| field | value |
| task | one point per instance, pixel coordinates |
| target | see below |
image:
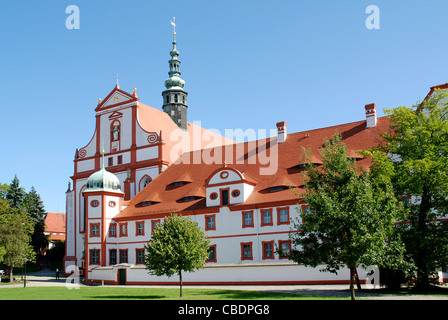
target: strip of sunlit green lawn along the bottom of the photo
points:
(126, 293)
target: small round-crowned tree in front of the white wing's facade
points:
(176, 245)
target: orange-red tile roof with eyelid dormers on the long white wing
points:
(290, 155)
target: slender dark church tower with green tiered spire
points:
(174, 97)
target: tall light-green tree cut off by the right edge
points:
(417, 148)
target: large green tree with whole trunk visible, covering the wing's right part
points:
(350, 217)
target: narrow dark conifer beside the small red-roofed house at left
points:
(34, 207)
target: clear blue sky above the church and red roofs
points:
(247, 64)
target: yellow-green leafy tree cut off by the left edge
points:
(15, 230)
